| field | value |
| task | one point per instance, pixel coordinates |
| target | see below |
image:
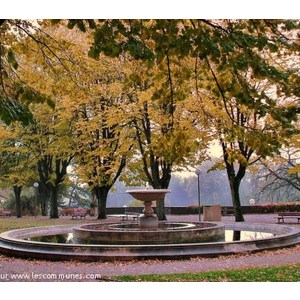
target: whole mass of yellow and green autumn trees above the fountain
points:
(142, 98)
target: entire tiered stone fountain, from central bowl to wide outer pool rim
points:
(148, 238)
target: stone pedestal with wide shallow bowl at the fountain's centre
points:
(148, 219)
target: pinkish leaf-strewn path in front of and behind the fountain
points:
(39, 270)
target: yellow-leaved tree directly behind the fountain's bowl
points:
(166, 137)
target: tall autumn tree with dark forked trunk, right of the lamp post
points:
(259, 101)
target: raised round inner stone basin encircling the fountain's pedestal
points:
(131, 234)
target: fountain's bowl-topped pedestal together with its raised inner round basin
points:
(148, 231)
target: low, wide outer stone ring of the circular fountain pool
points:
(16, 243)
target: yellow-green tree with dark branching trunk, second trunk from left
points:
(53, 151)
